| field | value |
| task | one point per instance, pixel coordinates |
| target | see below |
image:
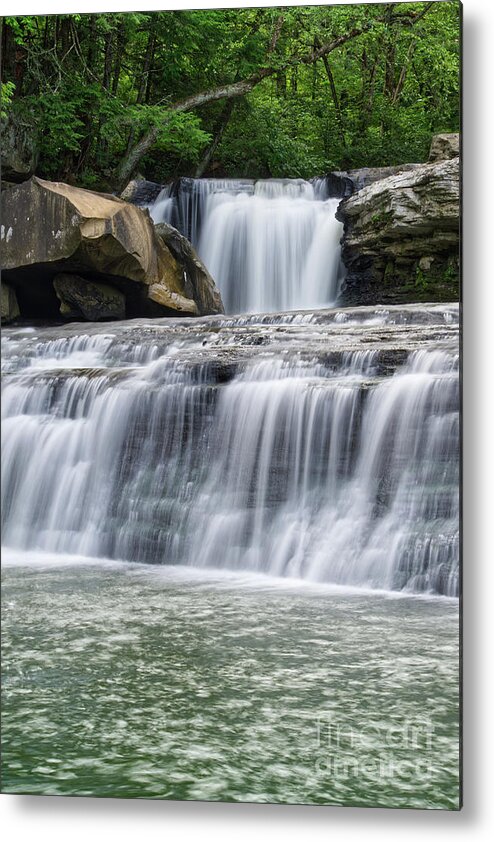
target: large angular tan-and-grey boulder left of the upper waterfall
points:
(53, 228)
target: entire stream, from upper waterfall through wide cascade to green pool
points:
(231, 556)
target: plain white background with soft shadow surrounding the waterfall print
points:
(51, 818)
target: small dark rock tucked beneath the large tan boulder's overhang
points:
(88, 299)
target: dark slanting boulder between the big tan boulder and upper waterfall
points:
(198, 282)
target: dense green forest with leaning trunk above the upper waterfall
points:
(288, 91)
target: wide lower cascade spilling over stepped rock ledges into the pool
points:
(318, 445)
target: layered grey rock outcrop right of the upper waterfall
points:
(401, 237)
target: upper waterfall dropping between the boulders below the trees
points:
(270, 245)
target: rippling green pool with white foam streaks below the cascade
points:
(129, 681)
